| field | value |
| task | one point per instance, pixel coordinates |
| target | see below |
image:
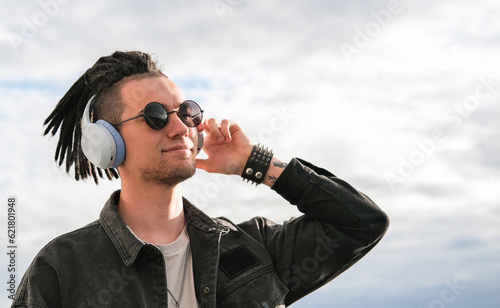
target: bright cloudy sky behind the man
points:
(399, 98)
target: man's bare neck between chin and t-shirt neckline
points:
(154, 212)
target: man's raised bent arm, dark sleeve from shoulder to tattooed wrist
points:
(339, 226)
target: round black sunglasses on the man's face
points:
(156, 115)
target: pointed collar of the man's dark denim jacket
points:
(127, 244)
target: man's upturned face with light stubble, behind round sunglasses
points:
(165, 156)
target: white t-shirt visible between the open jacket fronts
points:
(179, 267)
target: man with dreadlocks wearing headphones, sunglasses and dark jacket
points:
(152, 248)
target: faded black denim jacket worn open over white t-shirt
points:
(256, 263)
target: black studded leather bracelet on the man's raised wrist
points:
(257, 164)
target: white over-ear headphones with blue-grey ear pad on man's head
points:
(102, 144)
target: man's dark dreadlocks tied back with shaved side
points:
(103, 79)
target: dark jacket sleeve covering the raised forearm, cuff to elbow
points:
(320, 195)
